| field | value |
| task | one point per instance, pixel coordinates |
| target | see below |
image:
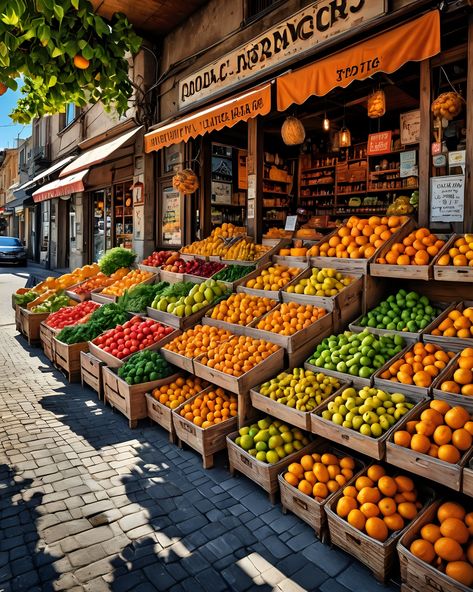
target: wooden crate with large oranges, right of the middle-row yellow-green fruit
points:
(434, 442)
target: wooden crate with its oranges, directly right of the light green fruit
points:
(415, 368)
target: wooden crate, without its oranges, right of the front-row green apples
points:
(309, 509)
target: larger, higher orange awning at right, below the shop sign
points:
(414, 41)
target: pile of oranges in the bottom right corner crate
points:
(448, 543)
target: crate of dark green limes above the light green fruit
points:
(406, 313)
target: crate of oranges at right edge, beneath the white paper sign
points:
(455, 262)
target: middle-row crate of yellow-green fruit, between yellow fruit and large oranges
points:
(363, 419)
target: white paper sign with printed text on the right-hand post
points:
(447, 198)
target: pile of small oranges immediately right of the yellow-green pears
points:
(242, 309)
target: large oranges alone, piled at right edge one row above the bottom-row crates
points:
(442, 431)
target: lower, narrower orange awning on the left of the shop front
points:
(227, 114)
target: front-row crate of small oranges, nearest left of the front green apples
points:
(204, 421)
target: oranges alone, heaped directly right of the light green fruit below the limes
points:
(419, 366)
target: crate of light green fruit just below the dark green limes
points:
(354, 357)
